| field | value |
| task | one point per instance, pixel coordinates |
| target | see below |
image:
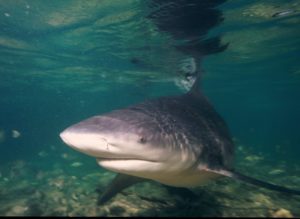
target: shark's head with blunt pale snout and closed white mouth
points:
(129, 141)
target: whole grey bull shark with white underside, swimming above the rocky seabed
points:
(179, 141)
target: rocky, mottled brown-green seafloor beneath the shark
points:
(68, 184)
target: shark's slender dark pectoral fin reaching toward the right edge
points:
(256, 182)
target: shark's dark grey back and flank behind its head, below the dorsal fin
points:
(188, 120)
